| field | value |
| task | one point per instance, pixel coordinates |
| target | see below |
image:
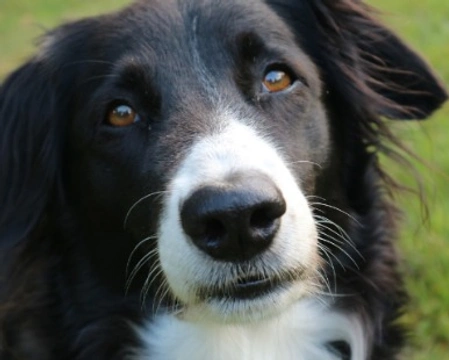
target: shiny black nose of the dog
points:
(234, 220)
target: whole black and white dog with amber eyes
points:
(198, 179)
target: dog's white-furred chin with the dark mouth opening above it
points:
(245, 302)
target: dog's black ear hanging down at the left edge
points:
(34, 107)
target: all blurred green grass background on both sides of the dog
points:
(425, 247)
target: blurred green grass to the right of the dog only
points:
(425, 249)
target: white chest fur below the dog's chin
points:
(298, 334)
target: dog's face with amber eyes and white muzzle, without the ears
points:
(188, 128)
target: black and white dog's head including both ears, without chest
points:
(190, 141)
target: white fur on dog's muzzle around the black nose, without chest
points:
(235, 148)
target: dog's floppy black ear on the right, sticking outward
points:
(375, 63)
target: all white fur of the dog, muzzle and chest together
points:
(287, 324)
